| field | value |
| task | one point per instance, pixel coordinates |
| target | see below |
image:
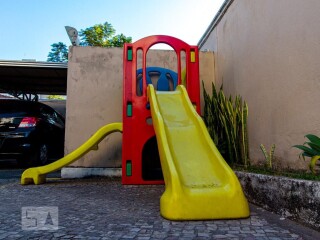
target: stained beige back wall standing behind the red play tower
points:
(94, 97)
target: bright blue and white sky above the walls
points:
(29, 27)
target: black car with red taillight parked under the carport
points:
(30, 132)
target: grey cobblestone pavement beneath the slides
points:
(105, 209)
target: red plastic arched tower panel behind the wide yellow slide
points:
(140, 157)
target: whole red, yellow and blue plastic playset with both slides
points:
(165, 139)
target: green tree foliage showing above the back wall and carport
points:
(101, 35)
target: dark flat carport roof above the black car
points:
(33, 77)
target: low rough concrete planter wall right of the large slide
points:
(291, 198)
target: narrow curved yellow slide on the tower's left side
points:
(37, 175)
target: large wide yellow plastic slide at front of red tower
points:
(199, 183)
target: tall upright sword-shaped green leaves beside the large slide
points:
(226, 120)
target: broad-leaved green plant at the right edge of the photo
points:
(310, 149)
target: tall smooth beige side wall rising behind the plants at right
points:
(268, 52)
